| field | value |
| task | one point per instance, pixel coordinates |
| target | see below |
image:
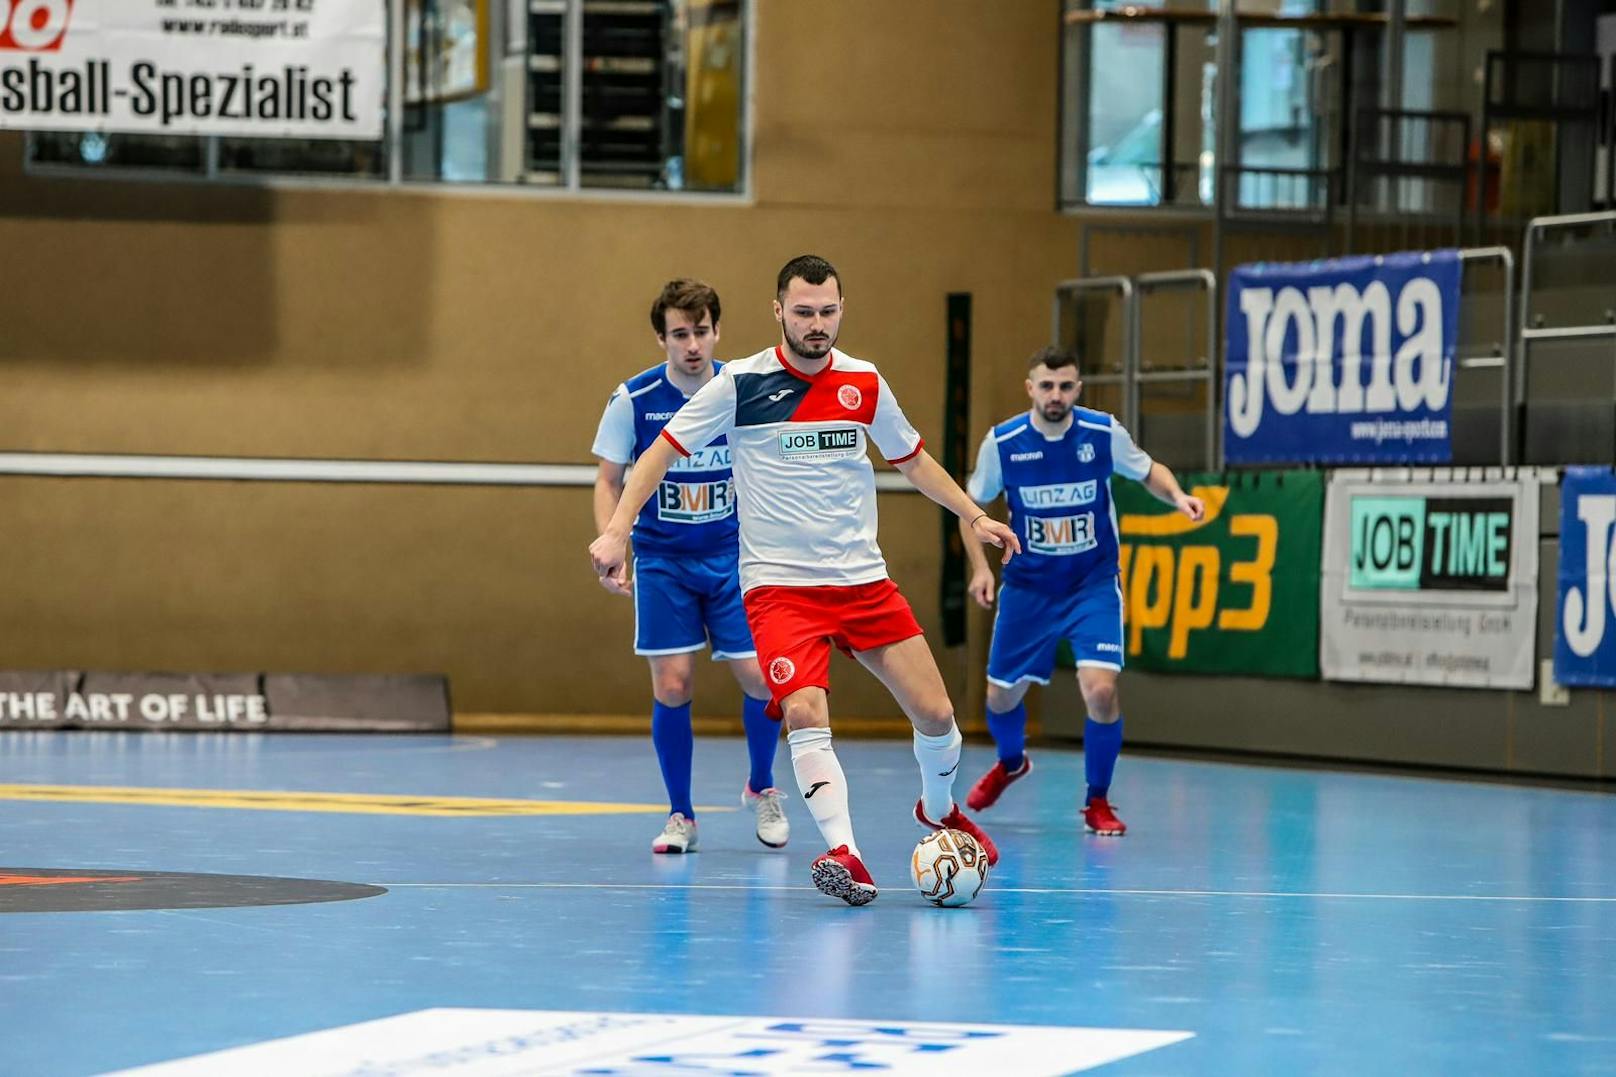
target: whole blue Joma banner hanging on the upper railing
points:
(1345, 361)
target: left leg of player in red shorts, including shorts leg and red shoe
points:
(794, 651)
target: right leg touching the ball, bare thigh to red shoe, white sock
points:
(911, 674)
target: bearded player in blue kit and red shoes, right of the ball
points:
(1054, 467)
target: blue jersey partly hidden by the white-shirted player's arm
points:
(694, 510)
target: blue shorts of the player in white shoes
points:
(680, 604)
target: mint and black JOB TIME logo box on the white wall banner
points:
(1431, 544)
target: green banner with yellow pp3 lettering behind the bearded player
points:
(1237, 593)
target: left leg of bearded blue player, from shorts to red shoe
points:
(1027, 635)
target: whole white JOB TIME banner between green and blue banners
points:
(1431, 581)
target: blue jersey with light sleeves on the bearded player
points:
(1059, 496)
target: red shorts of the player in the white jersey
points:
(794, 630)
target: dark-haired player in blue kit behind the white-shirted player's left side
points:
(686, 588)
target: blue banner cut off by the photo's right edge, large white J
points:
(1586, 617)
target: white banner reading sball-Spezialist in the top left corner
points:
(255, 69)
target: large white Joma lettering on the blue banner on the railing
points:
(1305, 379)
